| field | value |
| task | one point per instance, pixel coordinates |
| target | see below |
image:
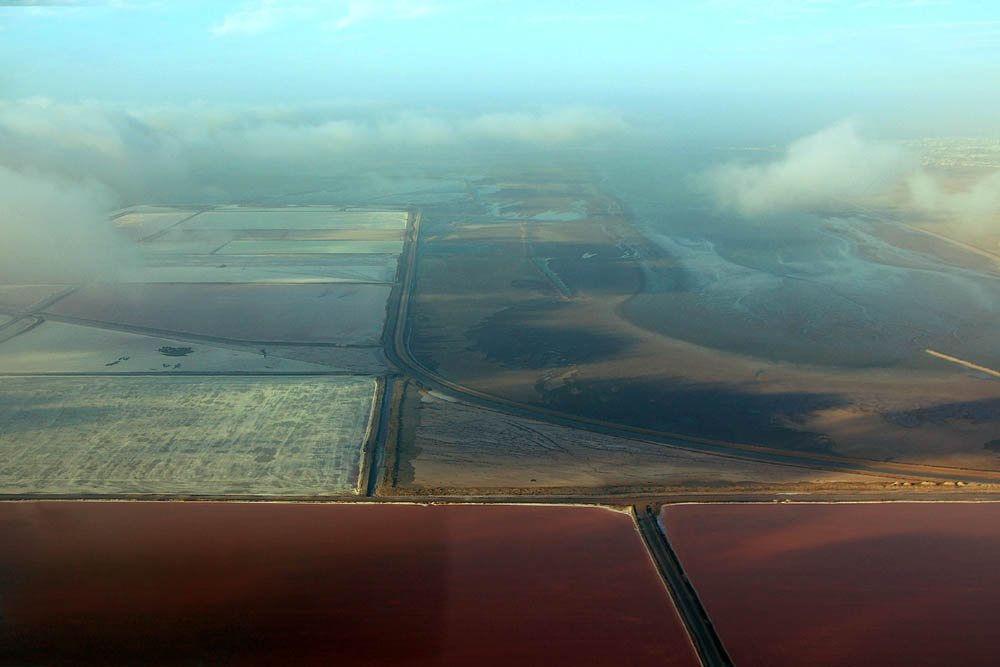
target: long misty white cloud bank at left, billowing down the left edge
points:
(63, 166)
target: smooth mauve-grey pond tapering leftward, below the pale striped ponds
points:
(343, 313)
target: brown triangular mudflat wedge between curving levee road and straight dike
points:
(453, 447)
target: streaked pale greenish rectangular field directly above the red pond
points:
(182, 435)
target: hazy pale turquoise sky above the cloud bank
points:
(824, 59)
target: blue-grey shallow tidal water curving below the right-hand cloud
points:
(797, 287)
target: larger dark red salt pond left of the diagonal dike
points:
(270, 584)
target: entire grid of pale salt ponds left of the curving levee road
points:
(175, 381)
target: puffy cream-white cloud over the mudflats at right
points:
(836, 166)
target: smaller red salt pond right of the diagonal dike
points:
(846, 584)
